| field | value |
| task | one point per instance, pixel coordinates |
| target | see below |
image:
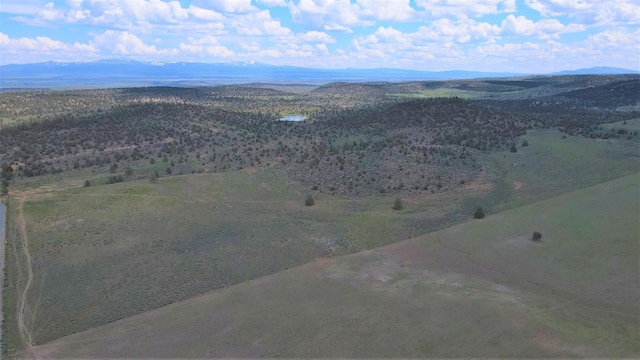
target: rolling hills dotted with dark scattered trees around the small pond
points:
(362, 139)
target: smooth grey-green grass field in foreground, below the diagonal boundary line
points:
(482, 288)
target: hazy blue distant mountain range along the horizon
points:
(127, 72)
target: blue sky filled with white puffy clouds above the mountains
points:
(524, 36)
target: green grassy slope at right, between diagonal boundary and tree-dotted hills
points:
(551, 165)
